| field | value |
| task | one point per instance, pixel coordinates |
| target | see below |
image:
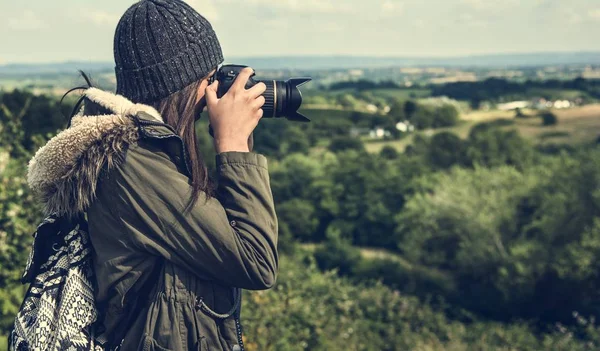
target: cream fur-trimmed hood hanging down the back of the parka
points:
(64, 172)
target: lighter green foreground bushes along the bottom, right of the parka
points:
(310, 310)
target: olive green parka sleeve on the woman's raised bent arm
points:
(230, 238)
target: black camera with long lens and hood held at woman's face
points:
(282, 98)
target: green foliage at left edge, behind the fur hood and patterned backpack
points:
(24, 122)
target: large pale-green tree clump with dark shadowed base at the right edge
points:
(525, 243)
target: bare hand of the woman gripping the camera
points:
(234, 116)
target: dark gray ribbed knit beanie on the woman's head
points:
(162, 46)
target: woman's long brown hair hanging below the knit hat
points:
(179, 110)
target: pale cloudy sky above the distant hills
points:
(40, 31)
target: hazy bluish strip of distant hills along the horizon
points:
(340, 62)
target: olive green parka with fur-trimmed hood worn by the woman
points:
(165, 280)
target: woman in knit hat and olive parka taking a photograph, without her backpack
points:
(171, 251)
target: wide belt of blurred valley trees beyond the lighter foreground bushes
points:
(489, 223)
